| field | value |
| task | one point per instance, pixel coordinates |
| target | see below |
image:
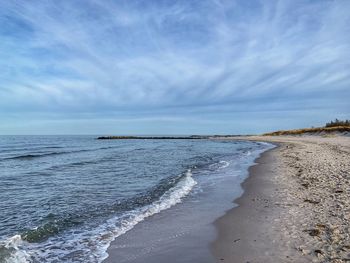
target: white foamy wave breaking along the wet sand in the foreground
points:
(35, 243)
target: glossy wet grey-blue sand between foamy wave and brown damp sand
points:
(175, 226)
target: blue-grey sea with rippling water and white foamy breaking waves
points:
(66, 198)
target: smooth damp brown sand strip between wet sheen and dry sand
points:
(242, 231)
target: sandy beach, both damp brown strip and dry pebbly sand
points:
(296, 205)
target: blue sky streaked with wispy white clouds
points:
(172, 67)
